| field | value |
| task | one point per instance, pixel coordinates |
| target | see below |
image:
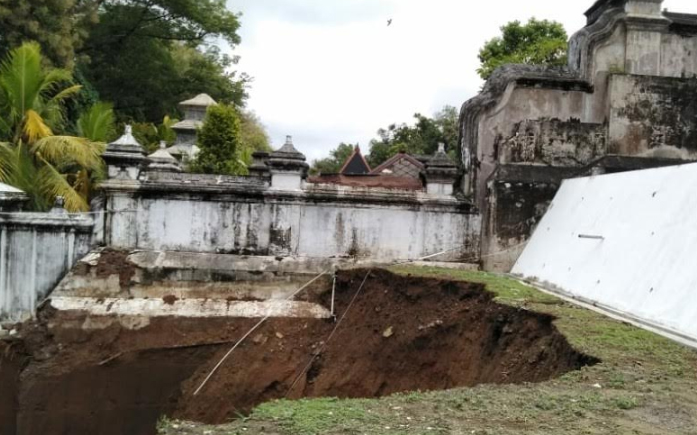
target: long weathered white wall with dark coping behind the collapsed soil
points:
(244, 216)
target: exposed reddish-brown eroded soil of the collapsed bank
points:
(79, 375)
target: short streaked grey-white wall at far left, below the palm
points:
(36, 250)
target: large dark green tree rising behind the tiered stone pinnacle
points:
(146, 56)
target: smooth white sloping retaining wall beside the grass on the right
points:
(645, 268)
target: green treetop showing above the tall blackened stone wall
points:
(539, 42)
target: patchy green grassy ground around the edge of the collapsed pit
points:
(645, 385)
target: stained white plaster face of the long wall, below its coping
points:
(313, 229)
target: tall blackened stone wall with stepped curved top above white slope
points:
(627, 93)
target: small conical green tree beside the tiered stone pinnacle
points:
(219, 141)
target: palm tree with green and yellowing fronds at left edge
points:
(32, 157)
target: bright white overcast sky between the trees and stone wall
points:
(331, 71)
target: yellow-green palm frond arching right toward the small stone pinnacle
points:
(65, 150)
